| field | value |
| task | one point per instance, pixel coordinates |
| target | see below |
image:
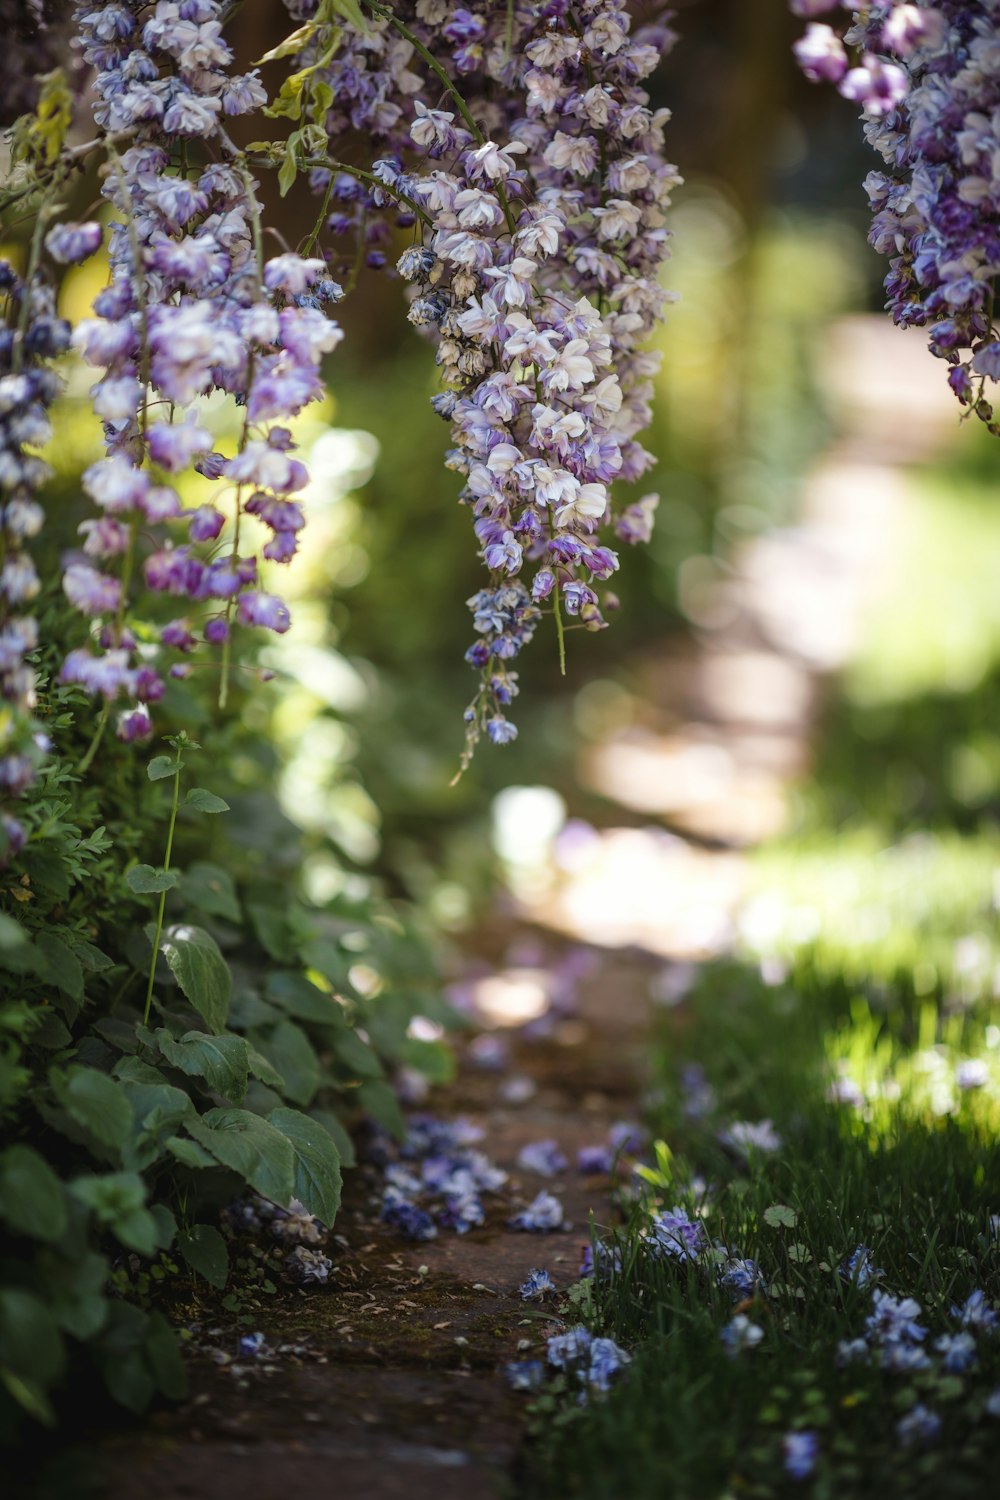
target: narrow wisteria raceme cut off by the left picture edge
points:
(31, 337)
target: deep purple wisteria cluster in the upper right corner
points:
(929, 80)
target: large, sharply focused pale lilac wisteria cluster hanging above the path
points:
(536, 271)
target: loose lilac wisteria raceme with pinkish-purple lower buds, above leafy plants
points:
(193, 308)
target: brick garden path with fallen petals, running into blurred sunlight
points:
(388, 1384)
